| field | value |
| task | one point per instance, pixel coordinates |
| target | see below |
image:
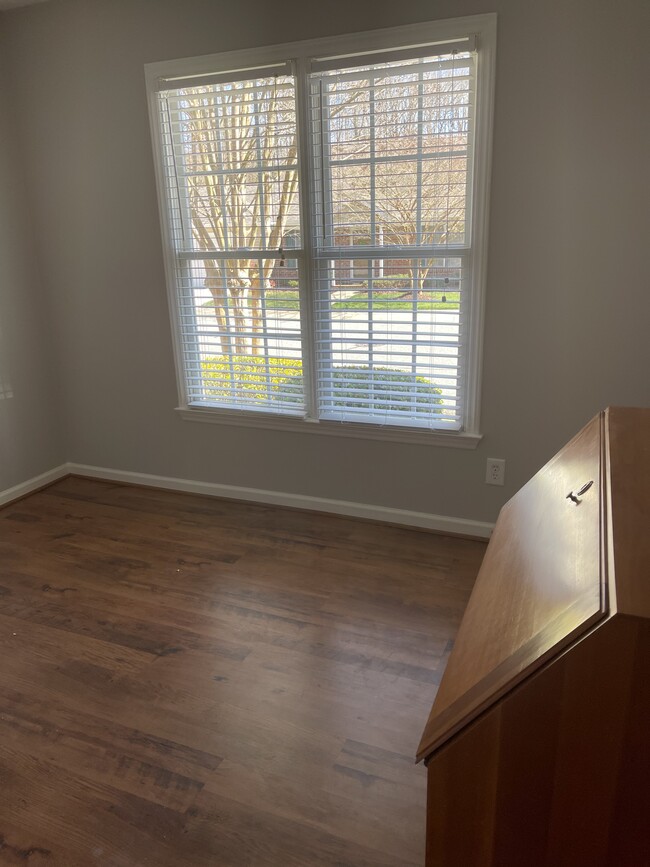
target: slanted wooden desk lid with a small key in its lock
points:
(542, 583)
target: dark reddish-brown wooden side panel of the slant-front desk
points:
(556, 774)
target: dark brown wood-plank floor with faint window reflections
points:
(189, 681)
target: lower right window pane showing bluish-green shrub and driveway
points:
(388, 343)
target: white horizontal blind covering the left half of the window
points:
(230, 159)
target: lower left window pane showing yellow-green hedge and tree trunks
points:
(240, 330)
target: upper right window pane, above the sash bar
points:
(394, 151)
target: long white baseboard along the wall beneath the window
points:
(439, 523)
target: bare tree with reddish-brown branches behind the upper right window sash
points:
(404, 168)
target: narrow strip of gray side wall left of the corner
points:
(30, 435)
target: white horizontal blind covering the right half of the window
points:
(393, 167)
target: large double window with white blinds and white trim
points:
(323, 207)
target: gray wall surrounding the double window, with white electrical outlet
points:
(568, 298)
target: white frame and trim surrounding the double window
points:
(482, 28)
